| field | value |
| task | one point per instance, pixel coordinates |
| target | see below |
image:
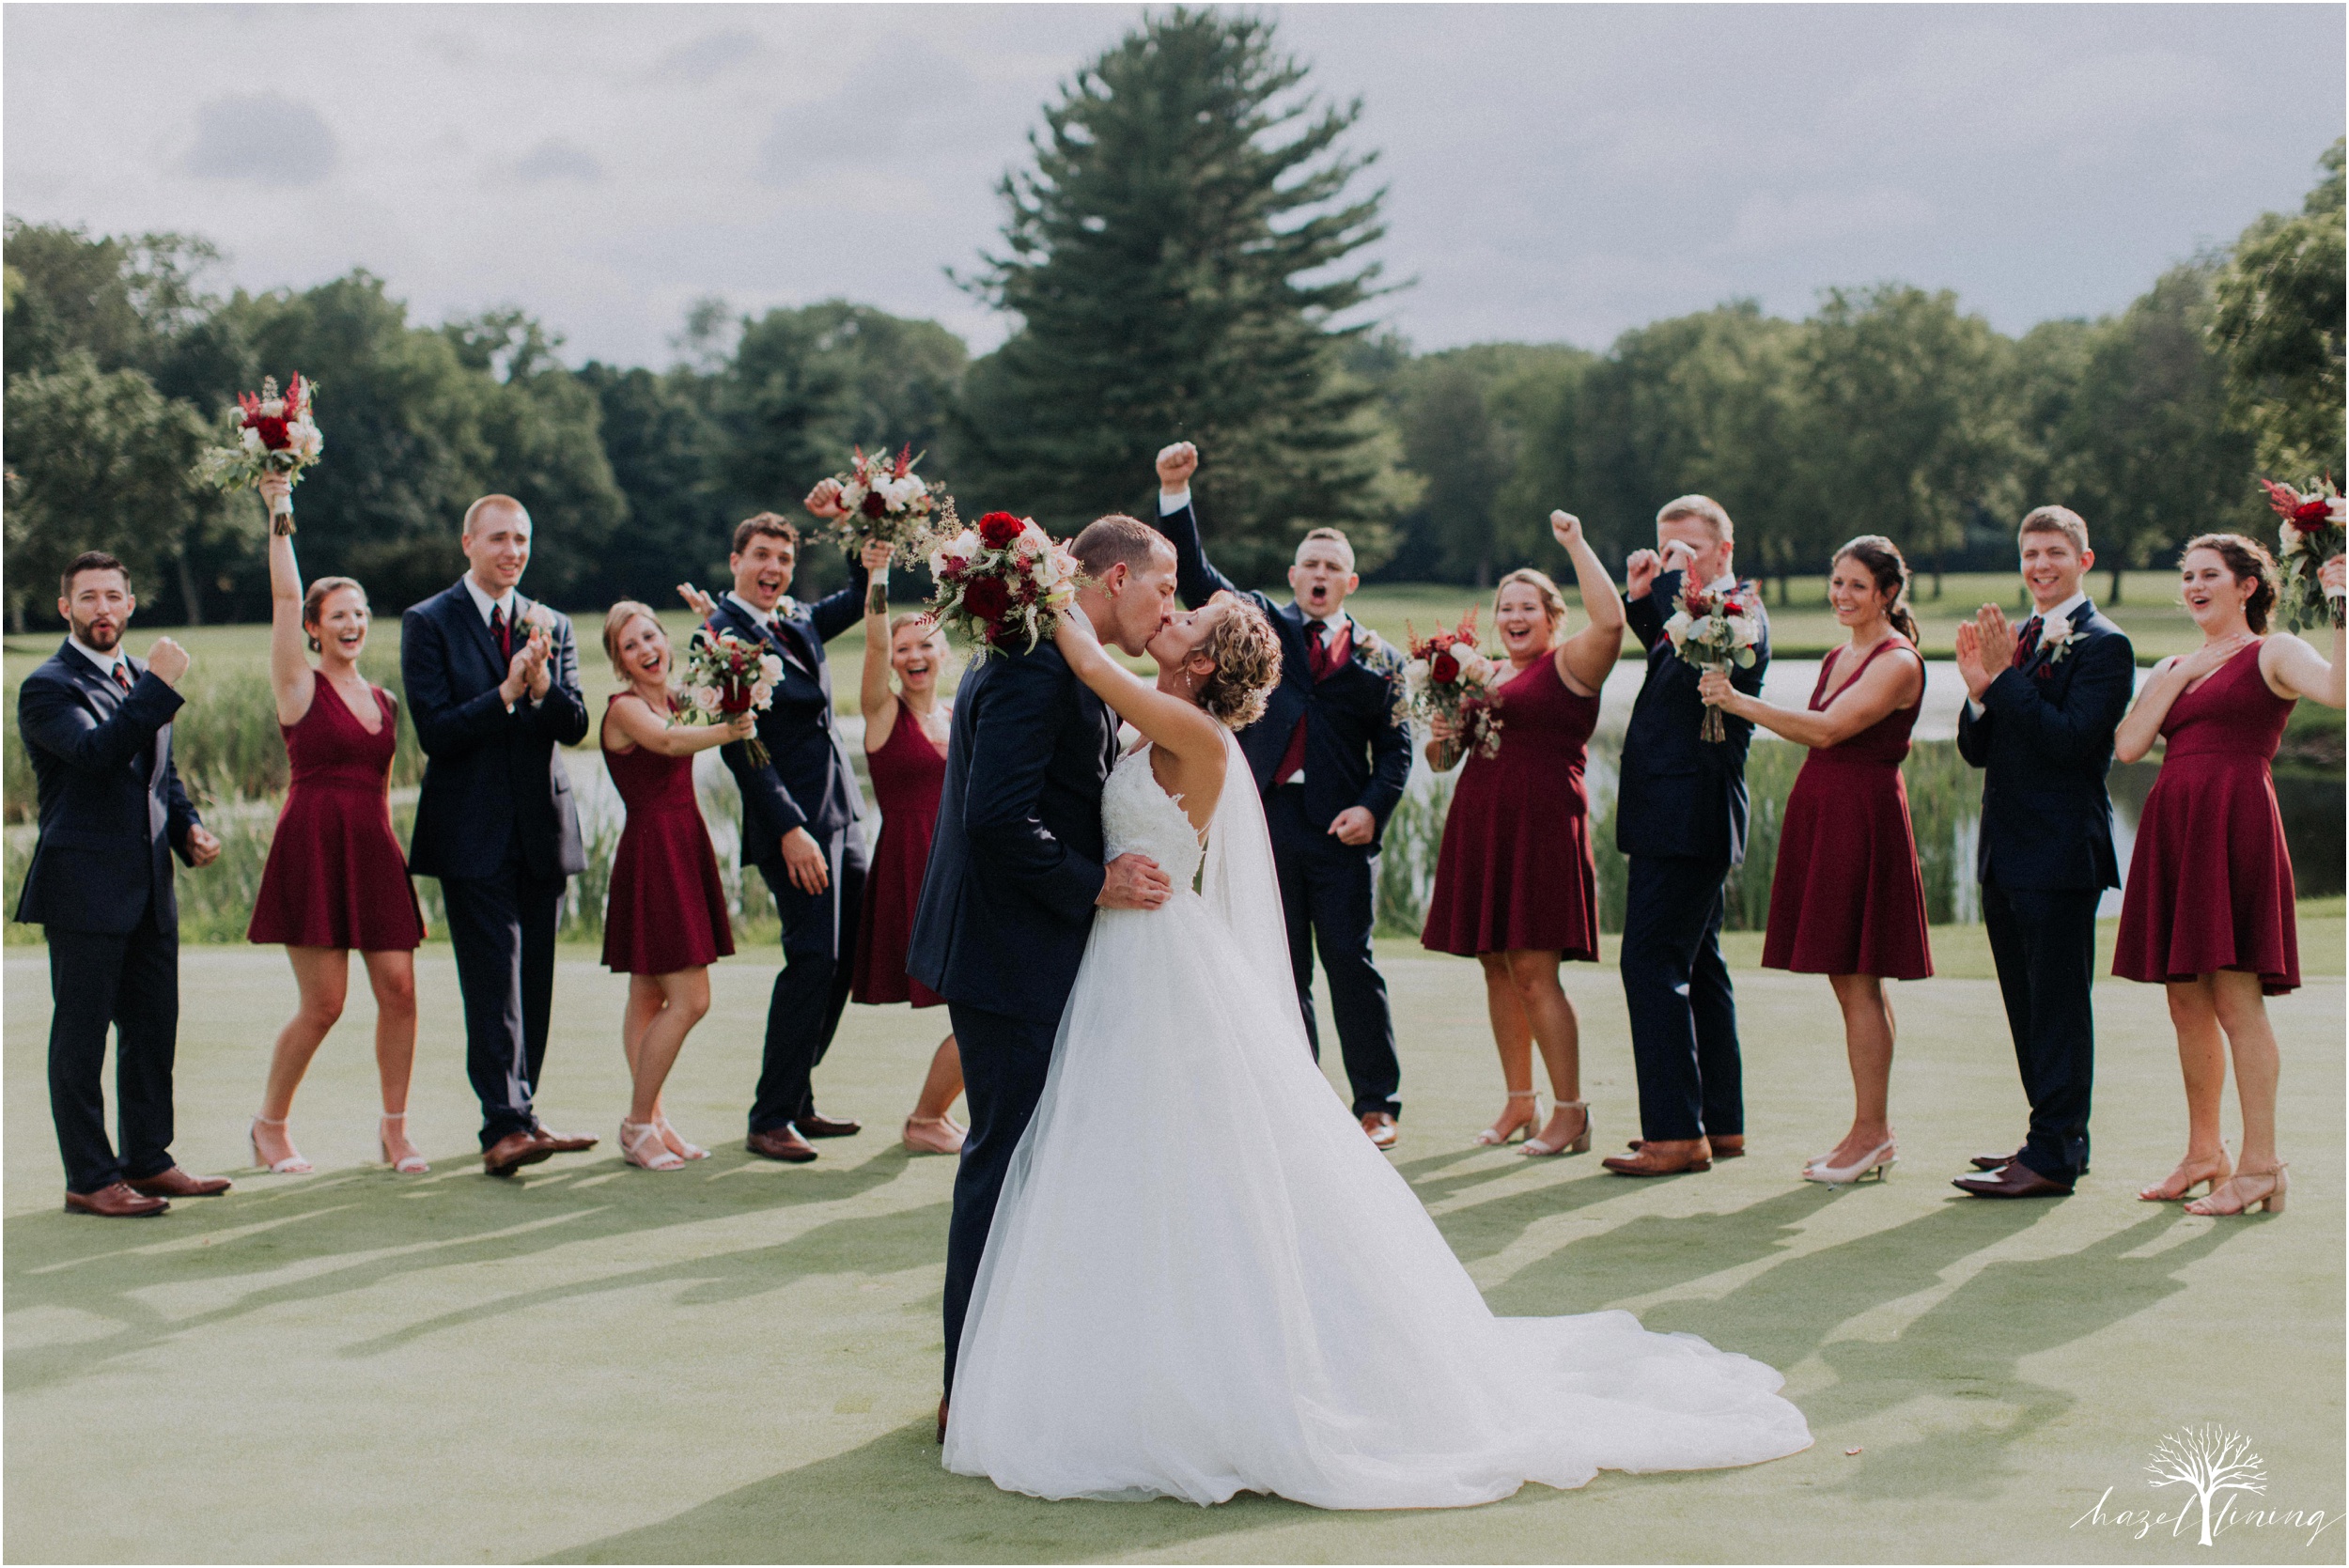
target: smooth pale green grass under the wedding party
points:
(739, 1363)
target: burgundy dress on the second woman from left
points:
(668, 905)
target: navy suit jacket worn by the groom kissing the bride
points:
(1016, 860)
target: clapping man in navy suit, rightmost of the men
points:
(2040, 715)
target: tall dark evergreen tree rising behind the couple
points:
(1180, 259)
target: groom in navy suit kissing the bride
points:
(1016, 872)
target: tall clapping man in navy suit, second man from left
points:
(494, 689)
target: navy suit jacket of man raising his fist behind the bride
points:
(1359, 748)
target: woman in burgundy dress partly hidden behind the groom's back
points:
(906, 750)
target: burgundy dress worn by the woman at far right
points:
(2212, 879)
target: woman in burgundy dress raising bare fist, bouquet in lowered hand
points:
(1514, 879)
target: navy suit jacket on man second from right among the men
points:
(1683, 795)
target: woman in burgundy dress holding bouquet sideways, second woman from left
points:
(666, 917)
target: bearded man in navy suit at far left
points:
(97, 726)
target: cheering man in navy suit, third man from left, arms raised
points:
(800, 823)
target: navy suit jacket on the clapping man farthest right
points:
(2045, 743)
